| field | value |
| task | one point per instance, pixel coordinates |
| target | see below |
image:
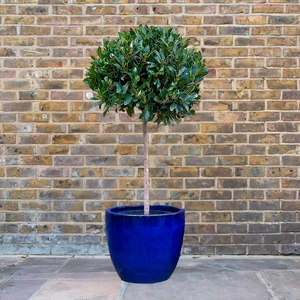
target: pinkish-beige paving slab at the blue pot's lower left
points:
(102, 286)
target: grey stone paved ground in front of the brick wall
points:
(196, 278)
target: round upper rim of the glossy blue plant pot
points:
(121, 210)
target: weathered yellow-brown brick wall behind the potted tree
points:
(234, 166)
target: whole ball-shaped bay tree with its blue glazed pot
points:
(151, 70)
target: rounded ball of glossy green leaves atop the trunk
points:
(149, 68)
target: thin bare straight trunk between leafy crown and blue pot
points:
(146, 169)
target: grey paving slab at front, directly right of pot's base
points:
(205, 286)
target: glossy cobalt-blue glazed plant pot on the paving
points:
(145, 248)
